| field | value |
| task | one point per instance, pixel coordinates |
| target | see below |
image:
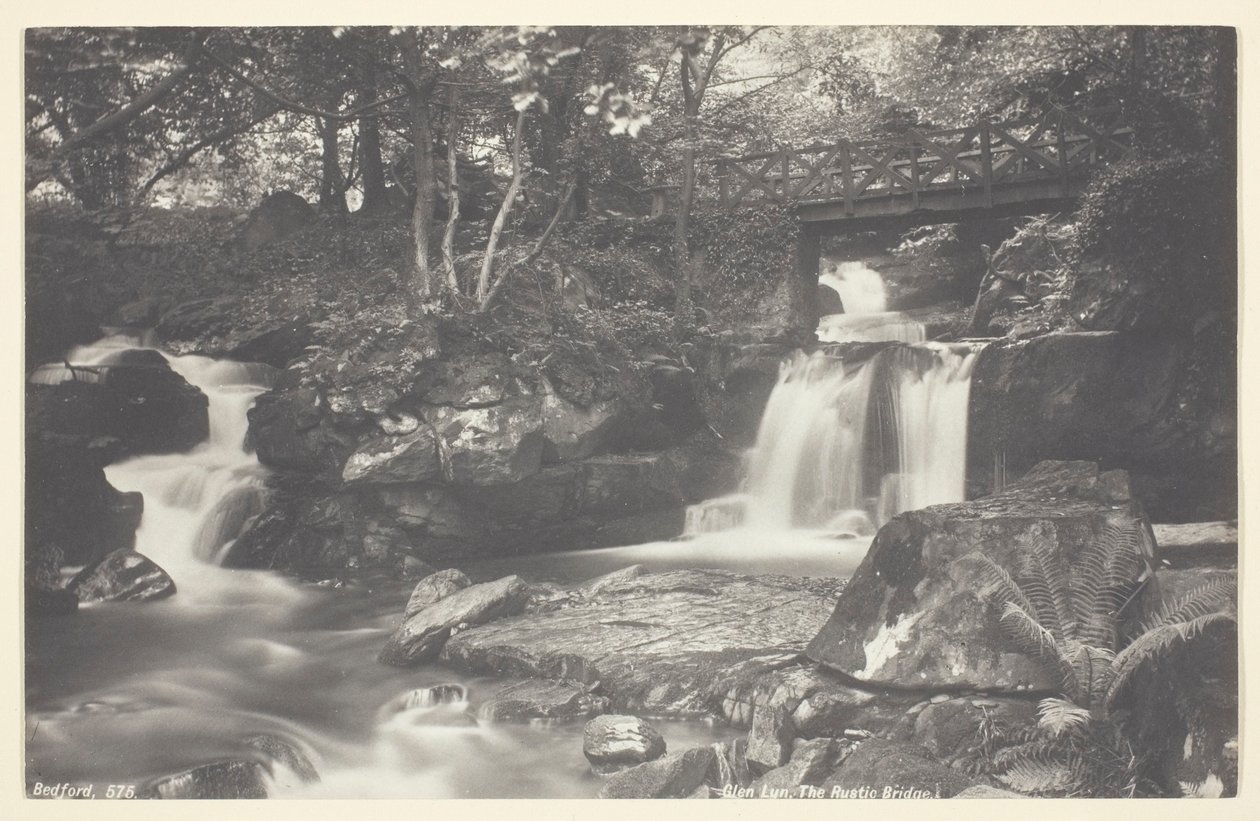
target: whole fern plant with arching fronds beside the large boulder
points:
(1069, 618)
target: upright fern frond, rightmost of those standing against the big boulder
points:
(1108, 572)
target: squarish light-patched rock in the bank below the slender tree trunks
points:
(496, 445)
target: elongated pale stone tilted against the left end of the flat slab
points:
(423, 635)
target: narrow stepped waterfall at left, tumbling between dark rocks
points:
(196, 503)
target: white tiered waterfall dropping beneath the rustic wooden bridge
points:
(846, 445)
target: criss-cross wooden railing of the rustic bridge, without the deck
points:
(1060, 145)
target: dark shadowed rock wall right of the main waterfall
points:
(1141, 402)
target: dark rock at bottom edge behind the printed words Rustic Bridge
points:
(891, 770)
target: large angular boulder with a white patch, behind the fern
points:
(912, 615)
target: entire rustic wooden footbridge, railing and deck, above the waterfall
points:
(981, 171)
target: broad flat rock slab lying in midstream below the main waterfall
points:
(665, 644)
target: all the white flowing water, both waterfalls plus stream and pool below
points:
(125, 693)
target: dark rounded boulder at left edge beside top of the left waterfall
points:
(135, 399)
